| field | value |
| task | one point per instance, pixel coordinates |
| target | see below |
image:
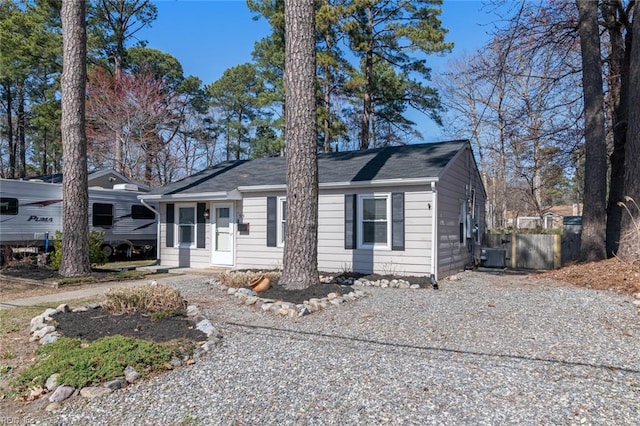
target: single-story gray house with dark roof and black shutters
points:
(415, 210)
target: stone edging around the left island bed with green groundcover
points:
(43, 331)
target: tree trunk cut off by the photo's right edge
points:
(630, 241)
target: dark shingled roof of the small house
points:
(397, 162)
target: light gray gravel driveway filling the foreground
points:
(487, 349)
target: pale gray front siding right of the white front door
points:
(252, 250)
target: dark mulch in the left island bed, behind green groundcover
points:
(97, 323)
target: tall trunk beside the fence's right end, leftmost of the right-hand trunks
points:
(595, 176)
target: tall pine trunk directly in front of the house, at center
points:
(300, 262)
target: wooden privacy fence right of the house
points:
(537, 251)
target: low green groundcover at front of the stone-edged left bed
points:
(82, 364)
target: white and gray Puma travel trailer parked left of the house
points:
(31, 213)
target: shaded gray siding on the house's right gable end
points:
(453, 188)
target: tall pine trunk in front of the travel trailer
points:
(75, 242)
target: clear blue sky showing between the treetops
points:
(209, 36)
